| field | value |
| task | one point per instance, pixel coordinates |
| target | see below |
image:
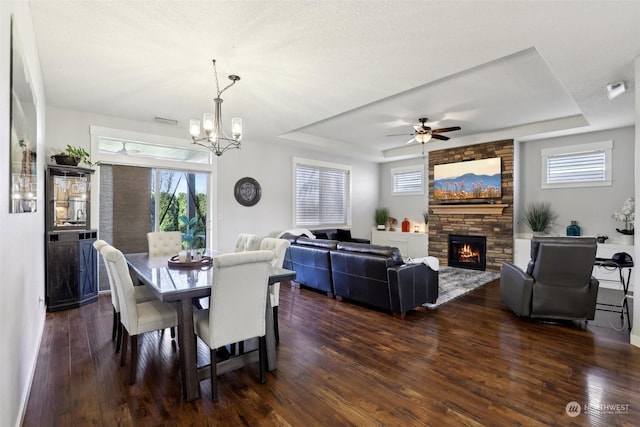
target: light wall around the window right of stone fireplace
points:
(592, 207)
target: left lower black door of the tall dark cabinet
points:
(62, 273)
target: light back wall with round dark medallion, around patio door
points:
(269, 162)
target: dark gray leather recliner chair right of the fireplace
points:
(558, 282)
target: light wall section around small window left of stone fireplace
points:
(400, 207)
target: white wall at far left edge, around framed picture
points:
(22, 249)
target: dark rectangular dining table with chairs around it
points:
(180, 285)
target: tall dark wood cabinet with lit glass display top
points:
(71, 273)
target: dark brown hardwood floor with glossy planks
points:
(470, 362)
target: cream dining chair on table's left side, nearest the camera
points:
(136, 317)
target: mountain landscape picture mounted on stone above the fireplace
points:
(468, 180)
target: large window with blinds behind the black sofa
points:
(322, 194)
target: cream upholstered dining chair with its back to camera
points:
(237, 306)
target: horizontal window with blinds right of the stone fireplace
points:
(577, 166)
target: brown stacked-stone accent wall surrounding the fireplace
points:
(497, 228)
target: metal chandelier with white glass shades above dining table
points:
(215, 139)
